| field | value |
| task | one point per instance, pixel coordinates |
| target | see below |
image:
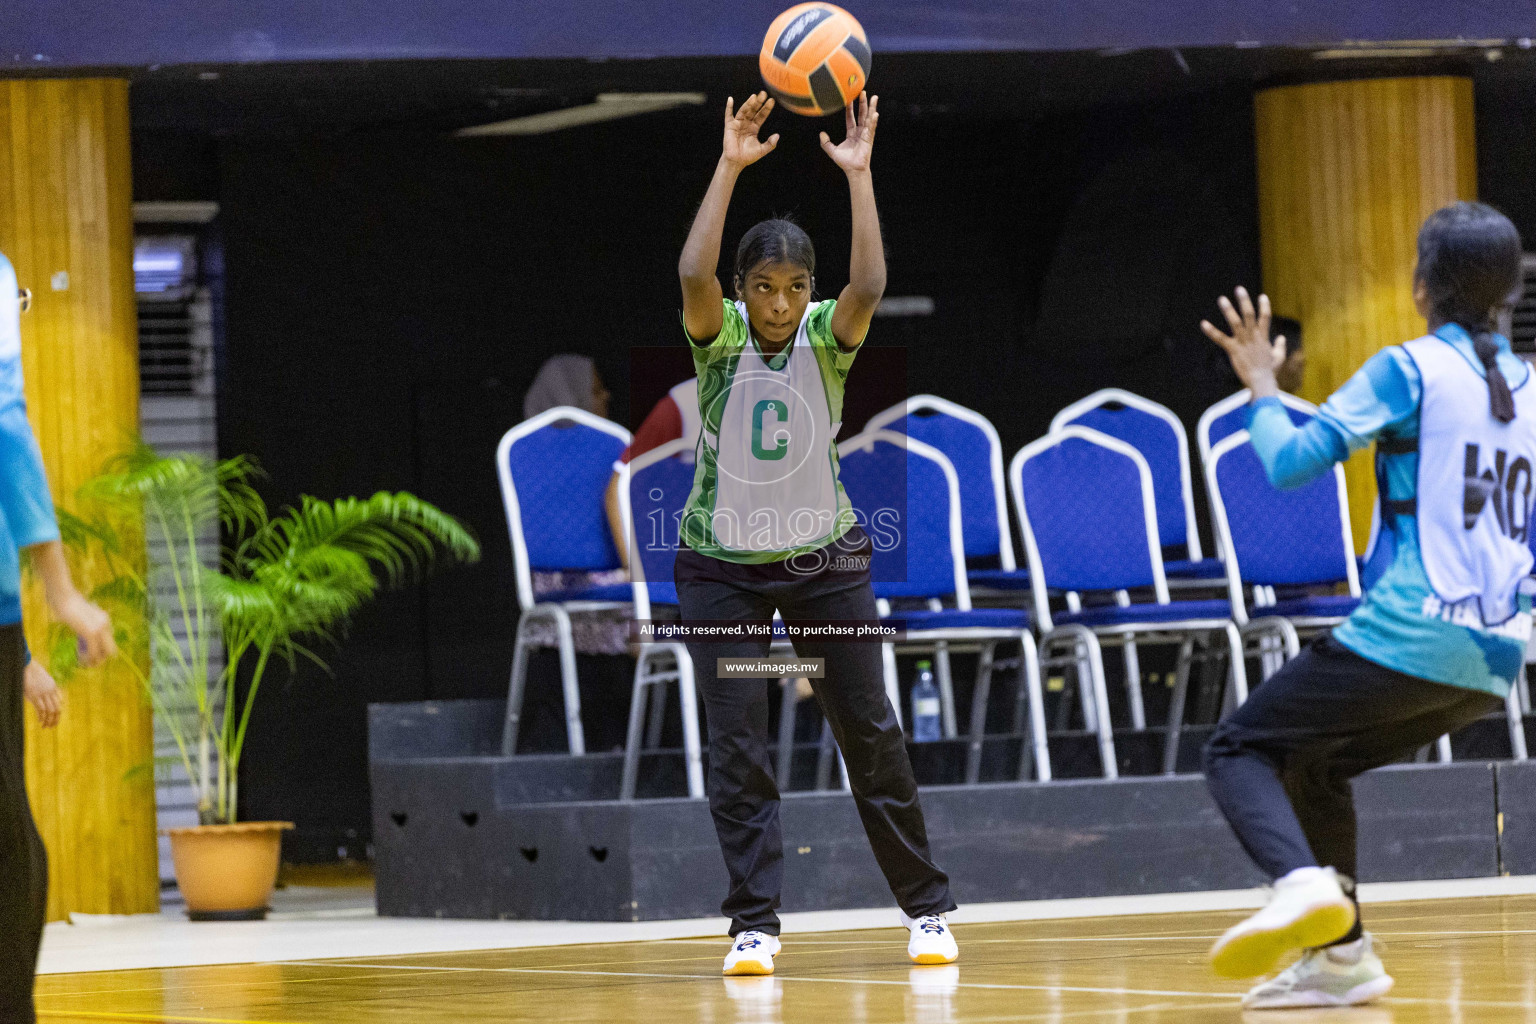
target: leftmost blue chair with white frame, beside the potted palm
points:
(554, 472)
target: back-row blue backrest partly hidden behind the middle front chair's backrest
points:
(1159, 435)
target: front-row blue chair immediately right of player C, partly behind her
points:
(907, 497)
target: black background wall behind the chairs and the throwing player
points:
(389, 297)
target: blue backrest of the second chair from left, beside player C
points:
(654, 491)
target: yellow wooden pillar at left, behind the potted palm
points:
(67, 223)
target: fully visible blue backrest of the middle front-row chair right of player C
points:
(1088, 514)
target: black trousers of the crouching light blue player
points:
(1280, 767)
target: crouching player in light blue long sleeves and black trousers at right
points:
(1437, 641)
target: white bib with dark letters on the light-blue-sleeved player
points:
(1475, 486)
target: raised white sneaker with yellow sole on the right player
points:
(1308, 910)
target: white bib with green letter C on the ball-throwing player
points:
(775, 481)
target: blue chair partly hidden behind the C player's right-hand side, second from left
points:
(654, 492)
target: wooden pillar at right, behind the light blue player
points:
(1348, 171)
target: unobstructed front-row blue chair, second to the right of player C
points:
(1088, 509)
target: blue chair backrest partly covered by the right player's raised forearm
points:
(1279, 538)
